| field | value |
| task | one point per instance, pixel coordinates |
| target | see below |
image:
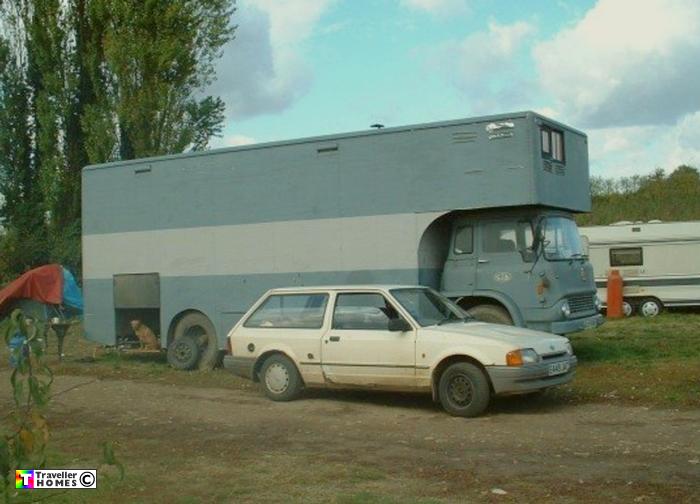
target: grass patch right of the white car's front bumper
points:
(654, 362)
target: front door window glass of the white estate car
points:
(363, 311)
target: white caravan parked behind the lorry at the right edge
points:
(659, 262)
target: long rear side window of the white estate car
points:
(290, 311)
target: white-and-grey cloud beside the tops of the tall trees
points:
(263, 70)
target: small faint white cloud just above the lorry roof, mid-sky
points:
(485, 68)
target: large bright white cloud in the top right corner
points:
(626, 62)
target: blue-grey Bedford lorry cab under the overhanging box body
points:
(526, 268)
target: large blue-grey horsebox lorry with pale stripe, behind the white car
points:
(479, 209)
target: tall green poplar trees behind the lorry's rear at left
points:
(92, 81)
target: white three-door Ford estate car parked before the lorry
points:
(393, 338)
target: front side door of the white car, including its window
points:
(360, 350)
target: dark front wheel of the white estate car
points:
(464, 390)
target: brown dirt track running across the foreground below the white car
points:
(529, 448)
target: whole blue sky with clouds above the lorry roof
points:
(627, 72)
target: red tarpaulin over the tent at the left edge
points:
(44, 284)
